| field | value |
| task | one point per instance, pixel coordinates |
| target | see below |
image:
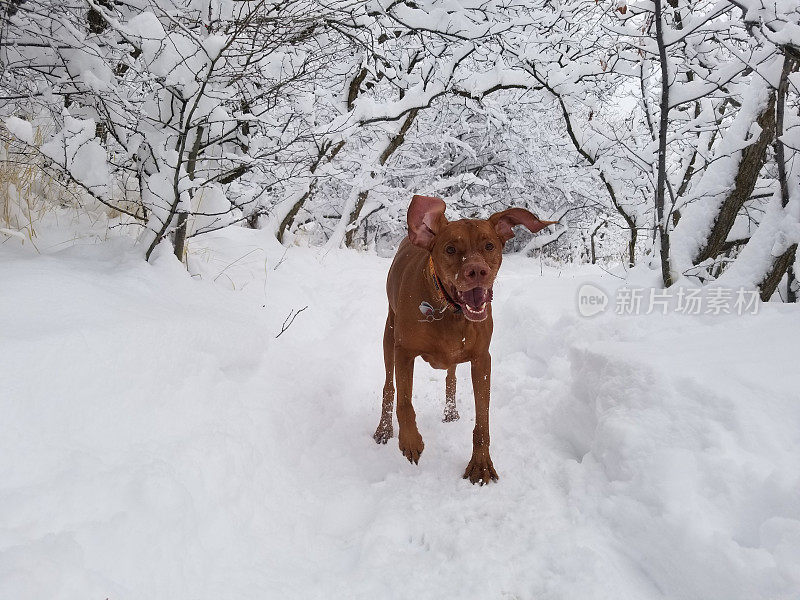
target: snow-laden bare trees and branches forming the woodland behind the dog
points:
(318, 121)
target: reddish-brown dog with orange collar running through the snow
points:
(440, 293)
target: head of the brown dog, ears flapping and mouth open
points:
(466, 253)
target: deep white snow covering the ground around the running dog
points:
(157, 441)
